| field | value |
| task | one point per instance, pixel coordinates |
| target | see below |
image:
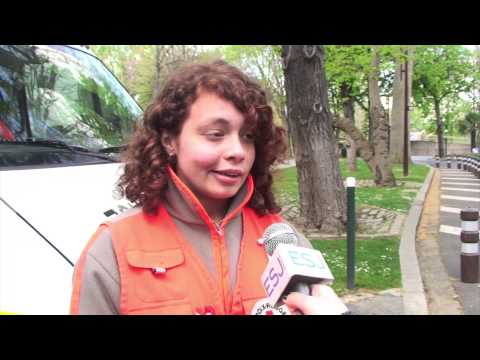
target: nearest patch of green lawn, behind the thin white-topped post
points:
(377, 263)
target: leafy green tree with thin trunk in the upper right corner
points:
(441, 72)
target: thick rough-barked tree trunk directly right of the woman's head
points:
(322, 195)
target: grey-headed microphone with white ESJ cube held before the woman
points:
(291, 268)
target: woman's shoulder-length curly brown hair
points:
(144, 180)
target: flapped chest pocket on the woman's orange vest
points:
(153, 286)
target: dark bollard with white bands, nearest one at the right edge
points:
(469, 238)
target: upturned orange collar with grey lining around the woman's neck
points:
(184, 205)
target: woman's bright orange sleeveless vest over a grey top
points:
(160, 273)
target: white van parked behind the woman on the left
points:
(63, 119)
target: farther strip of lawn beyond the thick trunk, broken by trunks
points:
(397, 198)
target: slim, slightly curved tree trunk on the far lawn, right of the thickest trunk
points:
(383, 170)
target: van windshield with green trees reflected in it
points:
(61, 93)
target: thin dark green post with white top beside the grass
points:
(350, 184)
